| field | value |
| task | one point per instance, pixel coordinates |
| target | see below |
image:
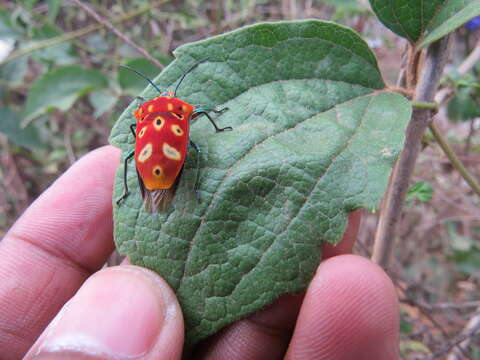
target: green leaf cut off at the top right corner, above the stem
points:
(424, 21)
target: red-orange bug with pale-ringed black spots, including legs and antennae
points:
(162, 139)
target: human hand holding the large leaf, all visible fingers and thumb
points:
(49, 277)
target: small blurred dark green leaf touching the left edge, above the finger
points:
(10, 126)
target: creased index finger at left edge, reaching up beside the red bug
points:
(62, 238)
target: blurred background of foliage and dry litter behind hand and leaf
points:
(61, 90)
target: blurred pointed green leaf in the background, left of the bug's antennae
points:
(60, 88)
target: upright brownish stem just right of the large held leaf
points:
(436, 57)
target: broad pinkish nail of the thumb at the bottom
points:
(117, 313)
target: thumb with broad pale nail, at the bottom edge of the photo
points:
(122, 312)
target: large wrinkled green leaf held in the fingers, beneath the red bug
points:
(314, 137)
